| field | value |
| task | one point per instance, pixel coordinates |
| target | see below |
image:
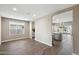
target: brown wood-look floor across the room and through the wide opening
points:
(32, 47)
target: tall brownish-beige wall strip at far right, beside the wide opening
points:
(76, 30)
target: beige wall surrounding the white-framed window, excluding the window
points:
(5, 30)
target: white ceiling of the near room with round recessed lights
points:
(26, 11)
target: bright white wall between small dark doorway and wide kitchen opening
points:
(43, 30)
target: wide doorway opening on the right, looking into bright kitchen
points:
(62, 31)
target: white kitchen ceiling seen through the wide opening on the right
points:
(63, 17)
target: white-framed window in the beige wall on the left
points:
(16, 28)
